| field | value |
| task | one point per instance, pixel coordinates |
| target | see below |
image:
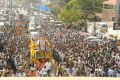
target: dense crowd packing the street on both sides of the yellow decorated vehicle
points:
(78, 57)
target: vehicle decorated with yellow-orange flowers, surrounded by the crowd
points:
(40, 49)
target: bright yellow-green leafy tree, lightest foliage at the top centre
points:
(70, 14)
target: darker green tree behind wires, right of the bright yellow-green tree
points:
(89, 7)
